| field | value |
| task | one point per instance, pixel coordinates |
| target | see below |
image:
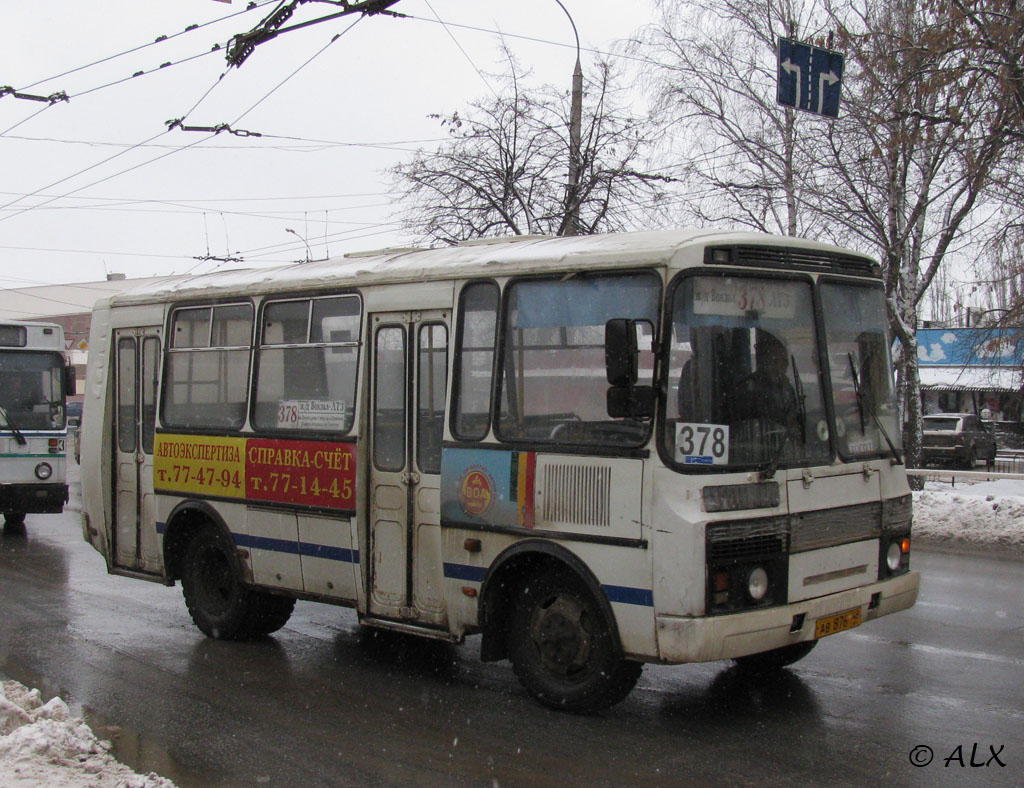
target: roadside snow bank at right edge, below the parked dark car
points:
(986, 514)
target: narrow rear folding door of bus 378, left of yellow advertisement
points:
(137, 546)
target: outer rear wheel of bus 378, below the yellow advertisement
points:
(211, 582)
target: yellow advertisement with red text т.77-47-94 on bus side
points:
(200, 465)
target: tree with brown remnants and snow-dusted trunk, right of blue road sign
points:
(917, 152)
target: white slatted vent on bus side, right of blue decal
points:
(577, 495)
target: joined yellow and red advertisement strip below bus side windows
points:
(304, 473)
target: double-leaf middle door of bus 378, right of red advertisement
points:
(410, 369)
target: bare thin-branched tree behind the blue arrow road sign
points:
(712, 67)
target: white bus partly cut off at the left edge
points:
(35, 381)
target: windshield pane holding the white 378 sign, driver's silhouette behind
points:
(744, 374)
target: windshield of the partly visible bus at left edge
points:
(32, 390)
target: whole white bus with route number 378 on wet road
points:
(596, 452)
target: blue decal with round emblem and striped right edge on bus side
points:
(488, 488)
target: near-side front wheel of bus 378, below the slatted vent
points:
(563, 649)
